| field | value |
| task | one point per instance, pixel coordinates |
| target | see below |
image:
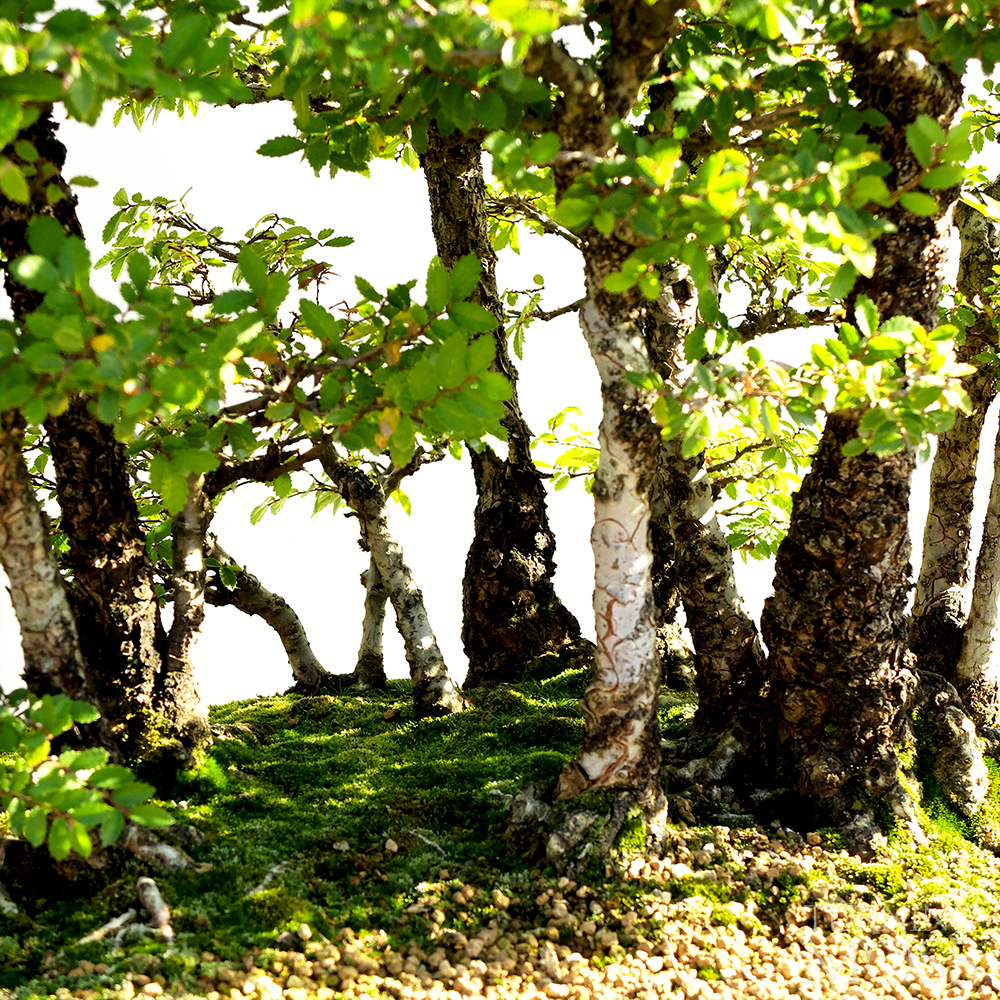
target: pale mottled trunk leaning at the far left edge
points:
(52, 660)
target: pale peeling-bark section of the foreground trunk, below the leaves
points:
(621, 749)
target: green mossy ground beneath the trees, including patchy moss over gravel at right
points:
(358, 817)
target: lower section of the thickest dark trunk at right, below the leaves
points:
(835, 626)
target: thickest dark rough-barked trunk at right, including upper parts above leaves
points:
(835, 627)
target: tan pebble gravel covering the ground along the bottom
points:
(816, 934)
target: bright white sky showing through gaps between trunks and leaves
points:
(316, 563)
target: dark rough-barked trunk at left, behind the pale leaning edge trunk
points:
(112, 594)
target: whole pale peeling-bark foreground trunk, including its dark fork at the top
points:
(621, 748)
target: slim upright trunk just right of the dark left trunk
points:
(177, 694)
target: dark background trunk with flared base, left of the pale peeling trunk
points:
(511, 614)
